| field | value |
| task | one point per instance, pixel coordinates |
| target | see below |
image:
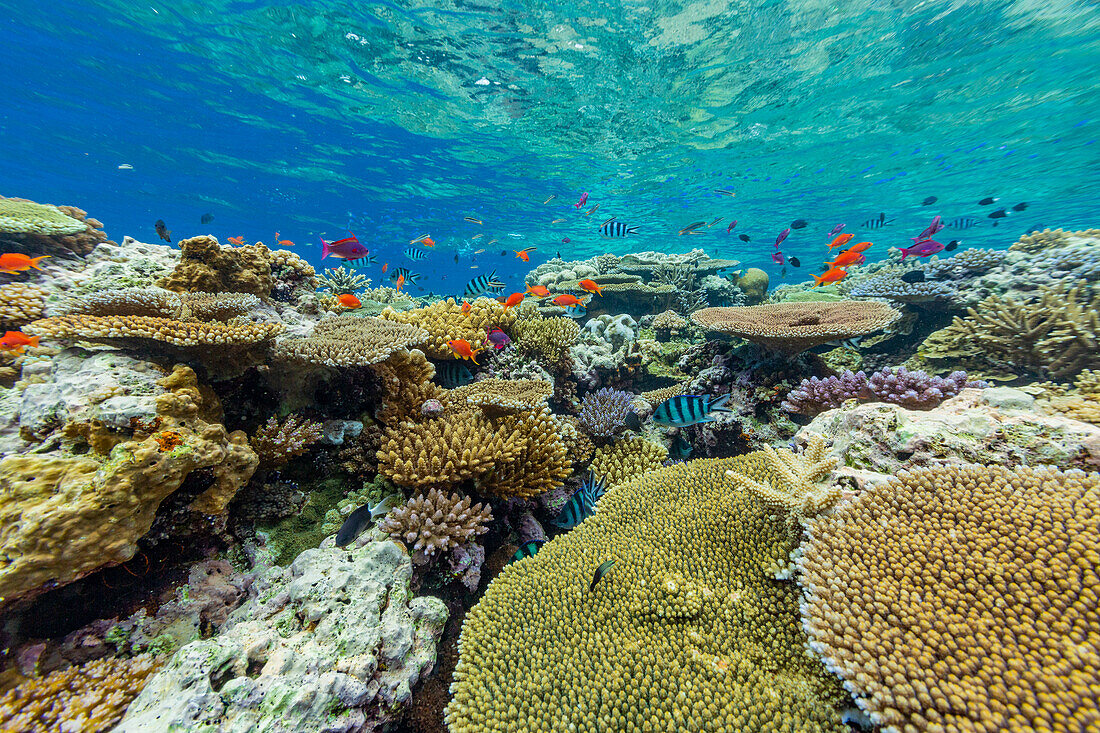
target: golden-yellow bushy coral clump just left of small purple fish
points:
(444, 322)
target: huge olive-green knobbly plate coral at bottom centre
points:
(689, 630)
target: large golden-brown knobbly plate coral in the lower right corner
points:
(963, 599)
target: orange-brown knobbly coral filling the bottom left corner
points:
(87, 699)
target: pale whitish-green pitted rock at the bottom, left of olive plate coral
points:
(333, 643)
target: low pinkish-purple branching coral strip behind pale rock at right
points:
(912, 390)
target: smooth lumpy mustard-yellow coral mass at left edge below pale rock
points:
(64, 517)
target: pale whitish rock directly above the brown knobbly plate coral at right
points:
(876, 441)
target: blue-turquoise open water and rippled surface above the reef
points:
(400, 119)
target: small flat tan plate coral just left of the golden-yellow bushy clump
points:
(350, 342)
